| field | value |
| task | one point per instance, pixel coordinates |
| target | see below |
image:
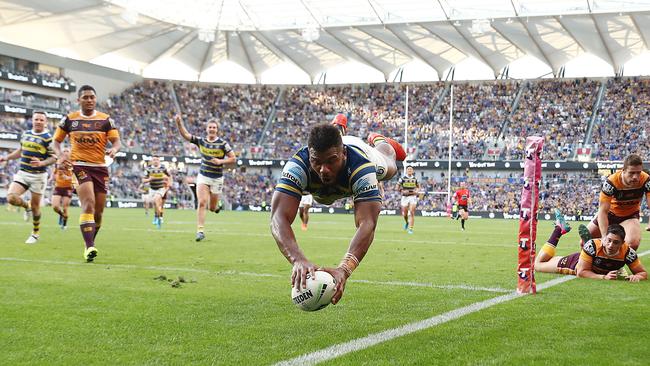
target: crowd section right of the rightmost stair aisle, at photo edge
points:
(623, 121)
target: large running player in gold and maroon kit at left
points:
(89, 132)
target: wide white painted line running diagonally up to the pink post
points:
(390, 334)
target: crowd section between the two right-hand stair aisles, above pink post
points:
(559, 110)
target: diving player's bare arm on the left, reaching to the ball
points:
(283, 211)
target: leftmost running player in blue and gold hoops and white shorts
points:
(35, 154)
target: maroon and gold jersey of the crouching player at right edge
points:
(624, 201)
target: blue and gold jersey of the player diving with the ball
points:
(357, 179)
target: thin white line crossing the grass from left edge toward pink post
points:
(254, 274)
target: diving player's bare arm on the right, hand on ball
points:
(366, 215)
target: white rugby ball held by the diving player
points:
(318, 293)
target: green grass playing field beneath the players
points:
(235, 307)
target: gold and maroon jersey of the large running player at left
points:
(88, 136)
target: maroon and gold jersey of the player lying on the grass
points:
(593, 252)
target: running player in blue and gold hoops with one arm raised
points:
(215, 153)
